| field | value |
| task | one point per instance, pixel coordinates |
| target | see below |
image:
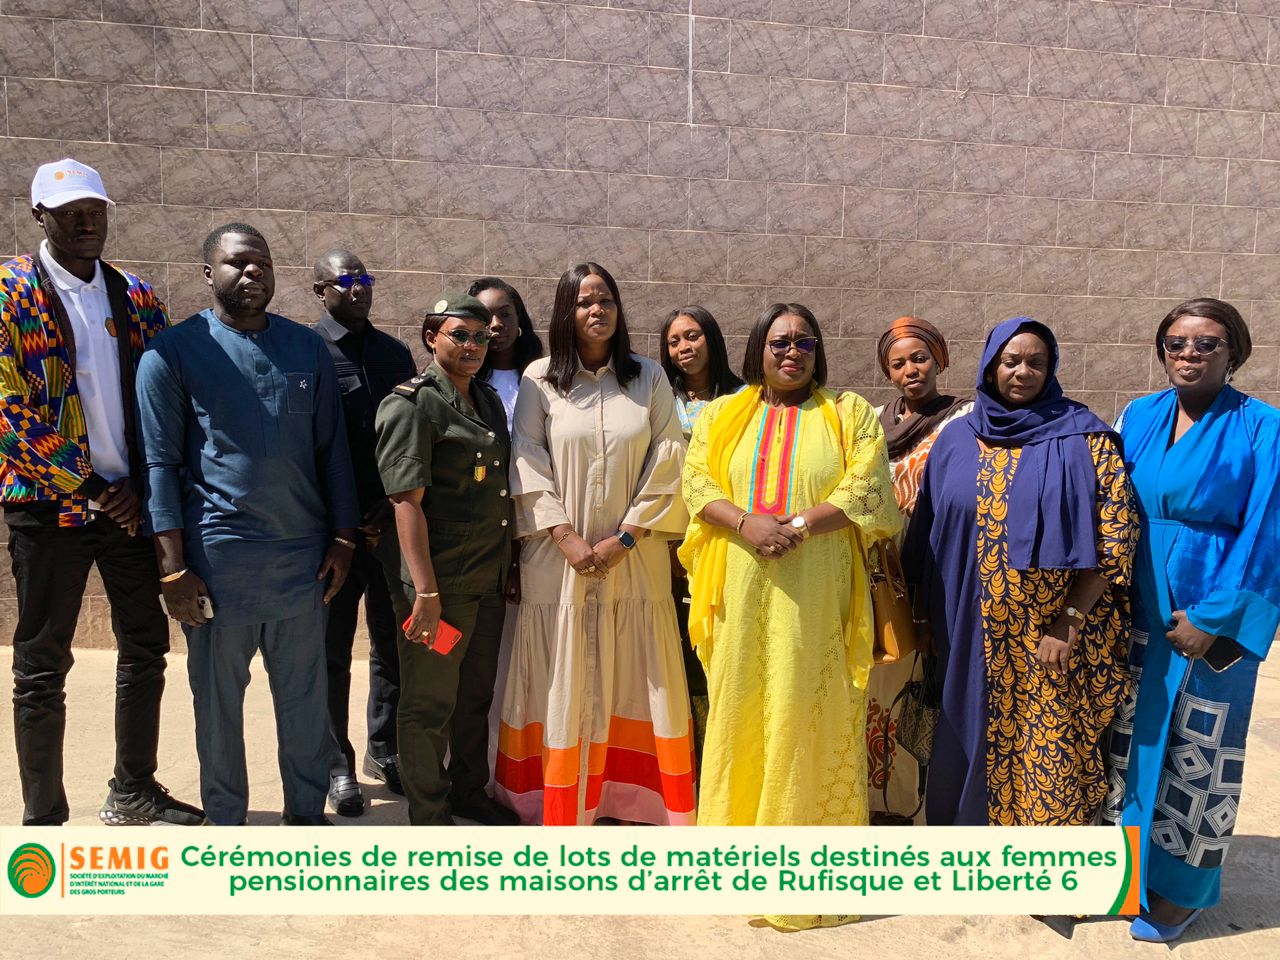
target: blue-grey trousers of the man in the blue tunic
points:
(294, 653)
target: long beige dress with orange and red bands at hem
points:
(596, 710)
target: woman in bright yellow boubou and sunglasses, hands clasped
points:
(781, 482)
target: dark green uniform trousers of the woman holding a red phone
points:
(445, 706)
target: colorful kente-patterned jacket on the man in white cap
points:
(44, 441)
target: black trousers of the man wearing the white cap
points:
(51, 569)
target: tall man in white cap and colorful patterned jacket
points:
(72, 330)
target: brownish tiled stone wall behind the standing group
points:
(1087, 163)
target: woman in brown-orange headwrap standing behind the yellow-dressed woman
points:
(912, 354)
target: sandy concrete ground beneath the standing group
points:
(1246, 926)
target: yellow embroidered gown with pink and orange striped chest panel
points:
(790, 655)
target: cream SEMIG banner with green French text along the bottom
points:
(399, 871)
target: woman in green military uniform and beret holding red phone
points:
(444, 451)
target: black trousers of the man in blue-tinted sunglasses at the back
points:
(365, 580)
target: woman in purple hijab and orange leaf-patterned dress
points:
(1021, 548)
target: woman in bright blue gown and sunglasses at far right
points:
(1205, 461)
